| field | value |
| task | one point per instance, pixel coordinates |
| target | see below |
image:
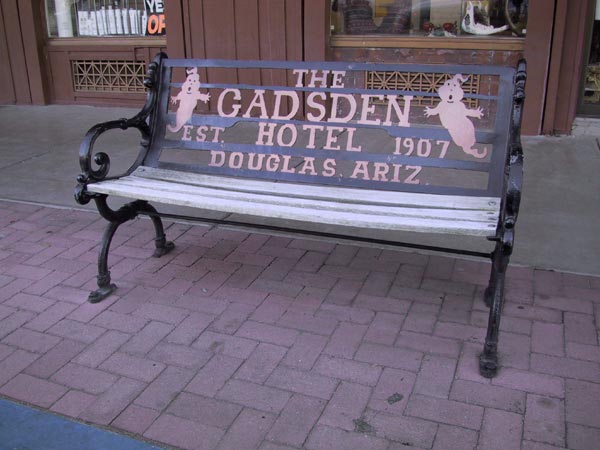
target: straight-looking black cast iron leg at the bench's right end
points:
(494, 294)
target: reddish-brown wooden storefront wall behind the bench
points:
(106, 68)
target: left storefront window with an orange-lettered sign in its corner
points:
(71, 18)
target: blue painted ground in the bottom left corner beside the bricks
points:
(23, 428)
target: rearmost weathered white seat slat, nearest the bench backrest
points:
(327, 193)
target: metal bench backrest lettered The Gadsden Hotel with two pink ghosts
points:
(344, 124)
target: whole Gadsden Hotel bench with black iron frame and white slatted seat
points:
(343, 146)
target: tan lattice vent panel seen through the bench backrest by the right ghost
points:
(423, 82)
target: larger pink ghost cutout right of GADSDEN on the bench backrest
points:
(454, 115)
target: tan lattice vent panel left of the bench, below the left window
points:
(108, 76)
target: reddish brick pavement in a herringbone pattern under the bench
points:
(248, 341)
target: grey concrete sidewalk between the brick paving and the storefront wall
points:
(557, 226)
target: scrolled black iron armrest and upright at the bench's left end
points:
(102, 160)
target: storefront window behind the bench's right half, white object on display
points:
(429, 17)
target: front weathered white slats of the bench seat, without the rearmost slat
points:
(437, 220)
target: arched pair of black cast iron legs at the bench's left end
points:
(116, 218)
